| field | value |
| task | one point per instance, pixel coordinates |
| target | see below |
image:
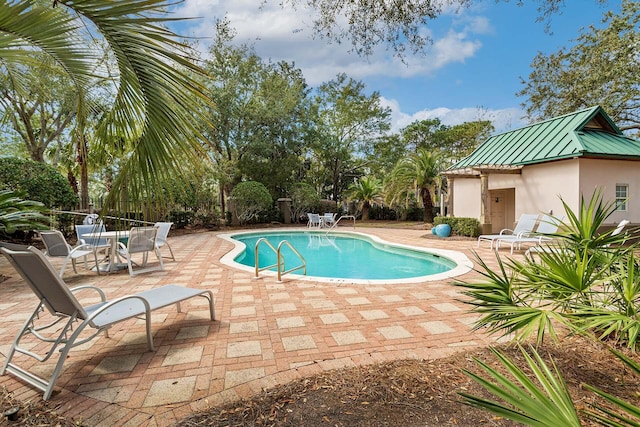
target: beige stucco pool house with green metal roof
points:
(527, 170)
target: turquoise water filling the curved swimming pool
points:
(343, 256)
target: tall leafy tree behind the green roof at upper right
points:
(602, 68)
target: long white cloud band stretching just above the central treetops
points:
(279, 33)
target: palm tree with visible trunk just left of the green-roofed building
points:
(419, 172)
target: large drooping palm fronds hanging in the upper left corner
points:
(154, 114)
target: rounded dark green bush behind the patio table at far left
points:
(37, 181)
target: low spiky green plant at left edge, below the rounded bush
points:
(19, 215)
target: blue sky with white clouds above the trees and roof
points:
(471, 71)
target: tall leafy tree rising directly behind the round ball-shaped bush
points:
(258, 116)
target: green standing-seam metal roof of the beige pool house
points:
(585, 133)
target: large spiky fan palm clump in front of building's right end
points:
(586, 280)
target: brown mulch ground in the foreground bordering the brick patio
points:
(402, 393)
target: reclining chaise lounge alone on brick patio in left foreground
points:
(61, 303)
